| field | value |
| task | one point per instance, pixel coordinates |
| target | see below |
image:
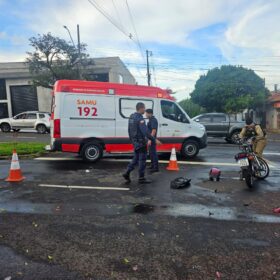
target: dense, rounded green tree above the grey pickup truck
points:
(229, 89)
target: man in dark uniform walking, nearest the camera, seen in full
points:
(138, 134)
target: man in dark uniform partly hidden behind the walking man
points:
(152, 128)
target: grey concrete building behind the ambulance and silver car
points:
(17, 94)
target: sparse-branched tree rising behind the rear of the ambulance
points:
(53, 59)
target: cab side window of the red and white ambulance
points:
(170, 110)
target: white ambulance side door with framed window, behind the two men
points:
(127, 106)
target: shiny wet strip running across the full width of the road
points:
(179, 209)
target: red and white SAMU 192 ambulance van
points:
(91, 118)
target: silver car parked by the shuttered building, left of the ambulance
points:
(27, 120)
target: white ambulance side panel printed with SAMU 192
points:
(88, 115)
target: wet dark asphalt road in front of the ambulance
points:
(73, 220)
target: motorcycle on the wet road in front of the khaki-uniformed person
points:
(252, 166)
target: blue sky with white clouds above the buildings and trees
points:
(186, 37)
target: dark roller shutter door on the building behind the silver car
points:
(24, 98)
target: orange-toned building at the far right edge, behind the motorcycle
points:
(273, 112)
